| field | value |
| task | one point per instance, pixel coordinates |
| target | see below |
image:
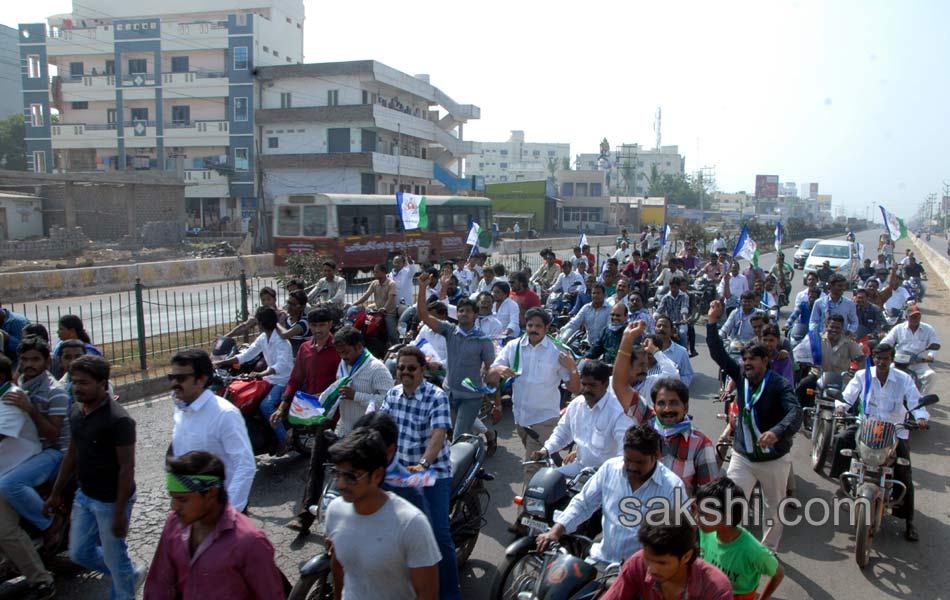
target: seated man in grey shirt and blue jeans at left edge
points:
(41, 398)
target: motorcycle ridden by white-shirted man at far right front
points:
(870, 480)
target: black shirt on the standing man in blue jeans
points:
(96, 436)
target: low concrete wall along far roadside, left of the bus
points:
(31, 285)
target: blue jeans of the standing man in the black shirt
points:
(92, 544)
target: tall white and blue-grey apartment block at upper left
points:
(168, 86)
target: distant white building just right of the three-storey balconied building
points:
(517, 160)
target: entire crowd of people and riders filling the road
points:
(592, 353)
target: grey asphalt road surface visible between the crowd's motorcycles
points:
(818, 560)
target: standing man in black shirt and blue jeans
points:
(102, 456)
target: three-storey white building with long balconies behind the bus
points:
(359, 127)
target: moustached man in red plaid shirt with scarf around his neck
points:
(686, 450)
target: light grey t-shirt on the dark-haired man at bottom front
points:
(378, 550)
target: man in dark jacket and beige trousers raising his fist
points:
(769, 417)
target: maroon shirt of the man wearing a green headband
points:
(235, 562)
